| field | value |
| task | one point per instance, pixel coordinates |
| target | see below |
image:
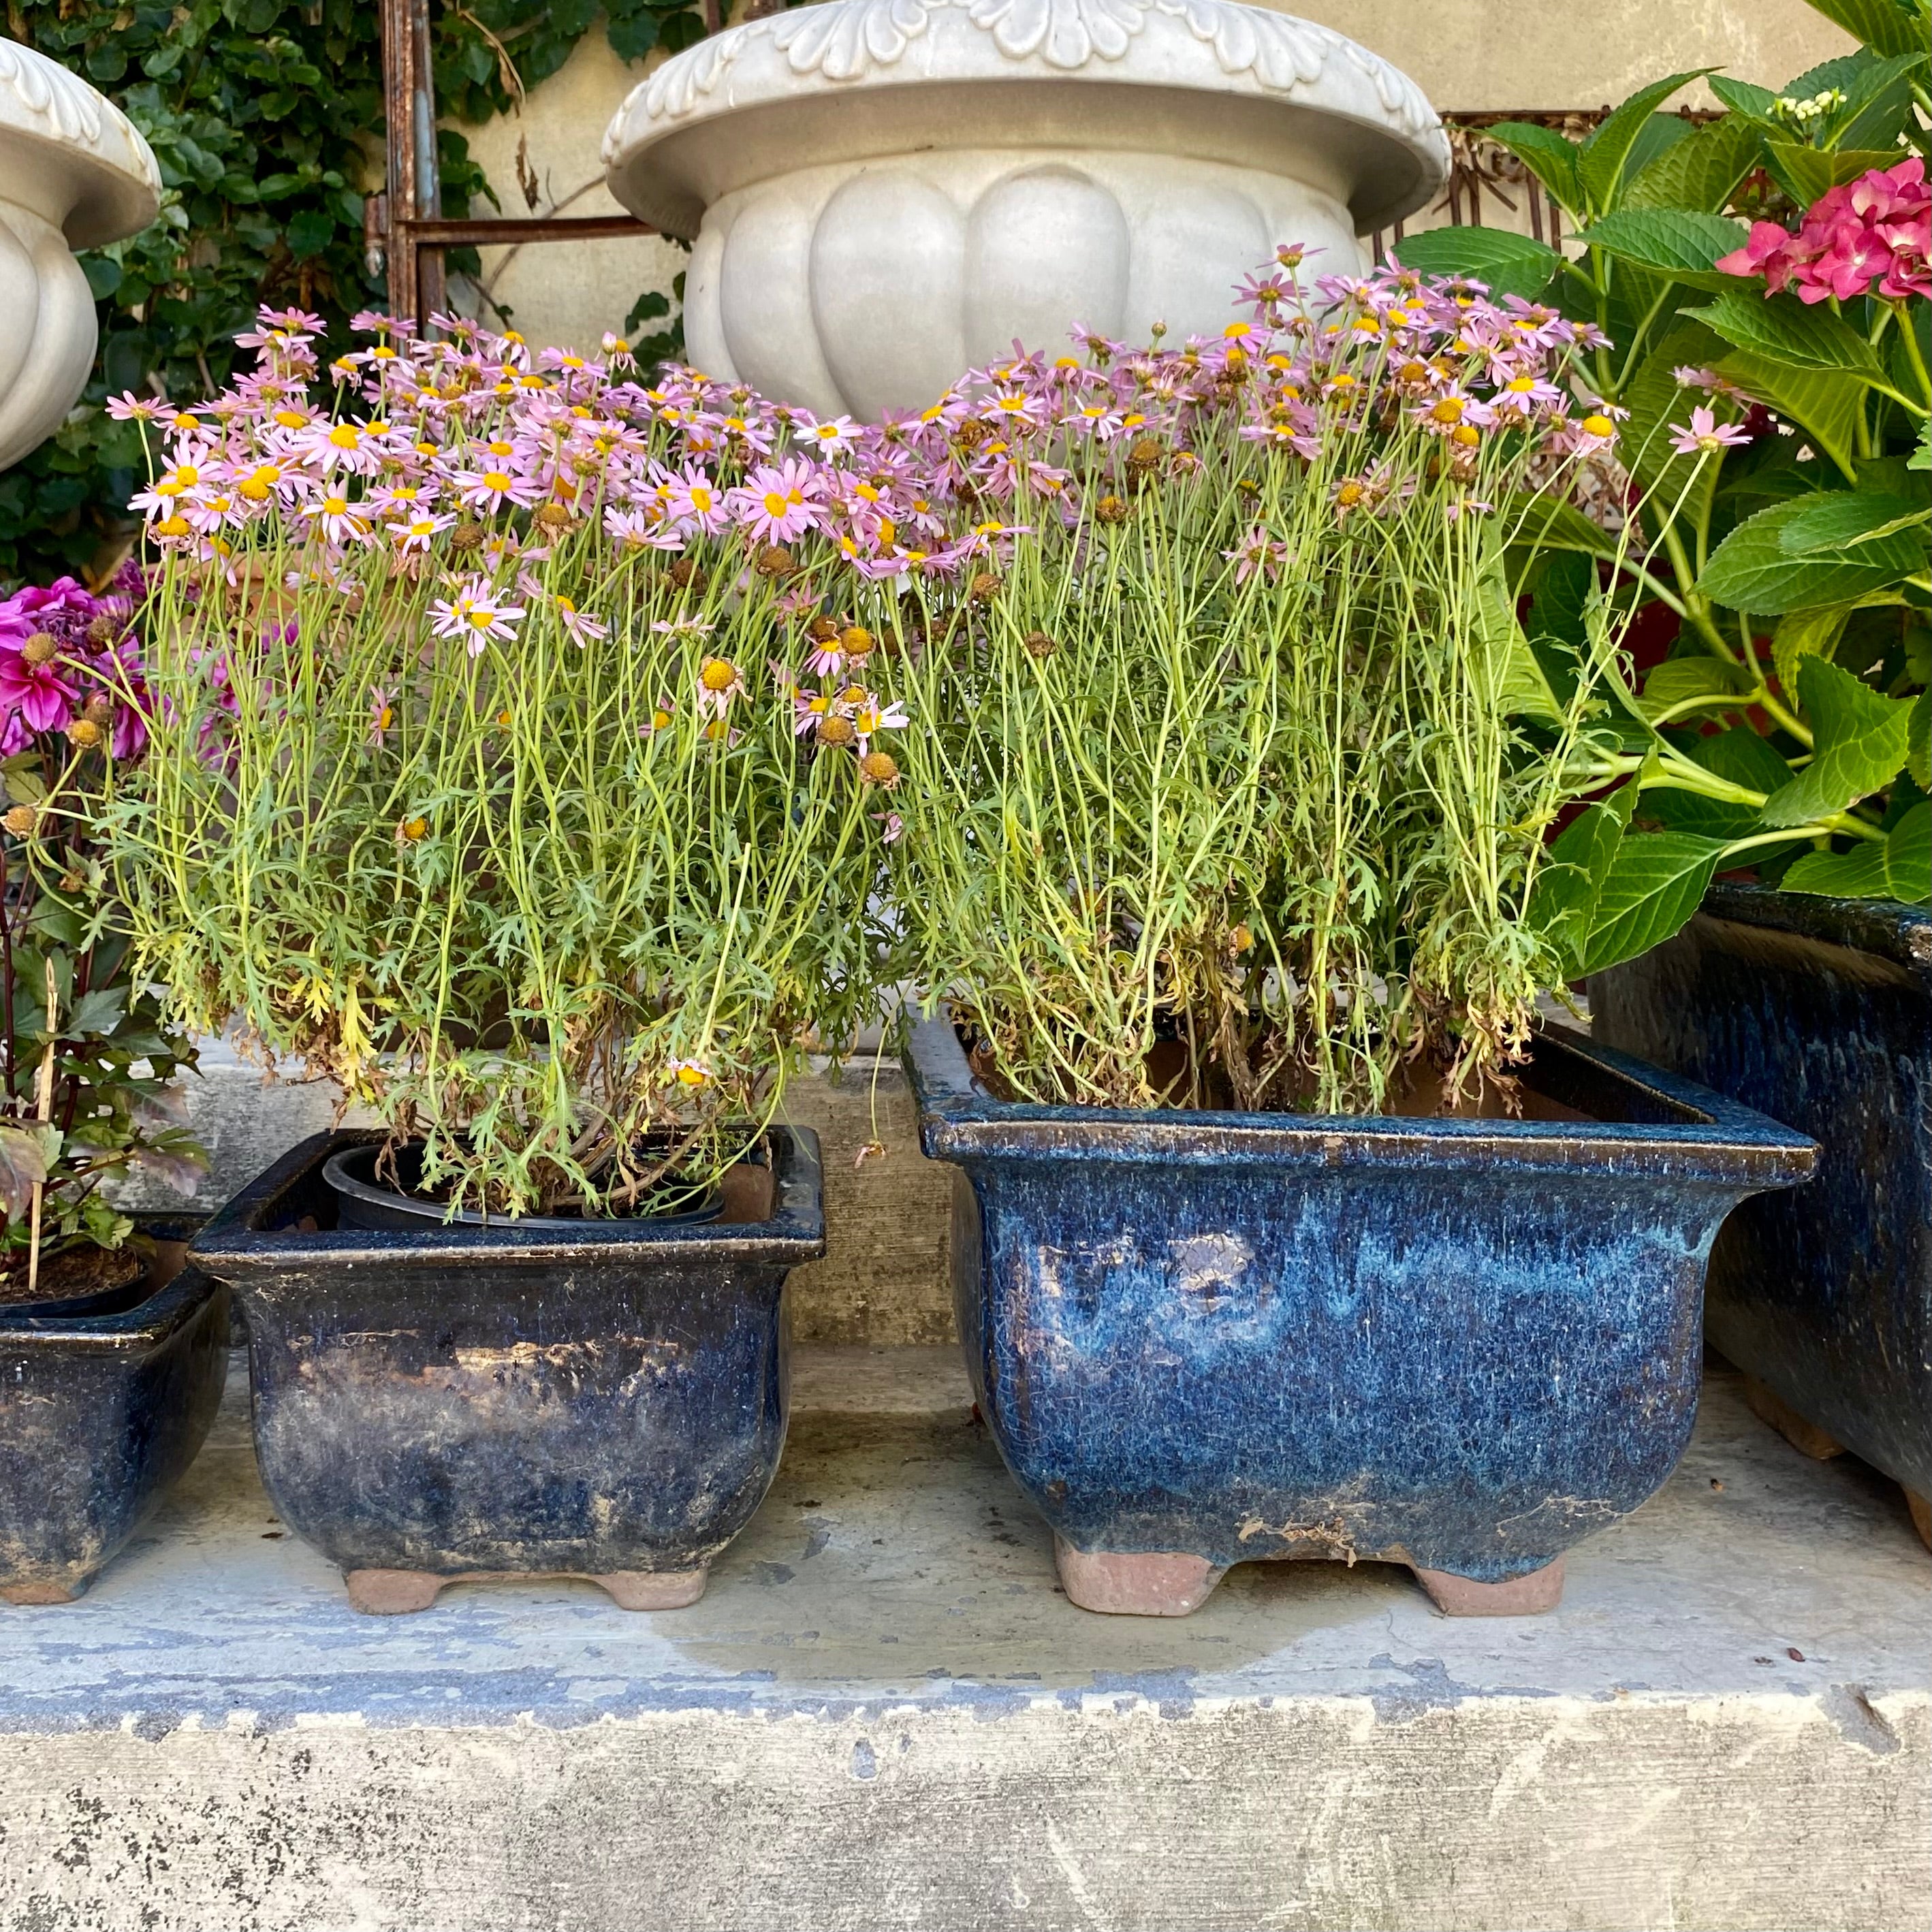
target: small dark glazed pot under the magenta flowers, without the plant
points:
(103, 1404)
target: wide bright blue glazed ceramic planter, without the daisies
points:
(1454, 1344)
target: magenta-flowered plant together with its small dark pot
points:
(111, 1359)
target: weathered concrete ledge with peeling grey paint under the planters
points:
(886, 1717)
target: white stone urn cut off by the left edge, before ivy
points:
(74, 175)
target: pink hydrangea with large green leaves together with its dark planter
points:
(1780, 749)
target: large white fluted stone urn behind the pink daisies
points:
(884, 194)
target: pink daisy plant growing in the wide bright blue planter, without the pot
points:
(1237, 772)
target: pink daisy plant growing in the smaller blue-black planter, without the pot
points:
(470, 776)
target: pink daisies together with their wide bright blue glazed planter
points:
(1284, 1230)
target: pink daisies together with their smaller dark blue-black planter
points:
(472, 787)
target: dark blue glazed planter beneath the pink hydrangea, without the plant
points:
(1817, 1011)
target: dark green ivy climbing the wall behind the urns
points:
(268, 123)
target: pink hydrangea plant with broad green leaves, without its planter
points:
(1763, 275)
